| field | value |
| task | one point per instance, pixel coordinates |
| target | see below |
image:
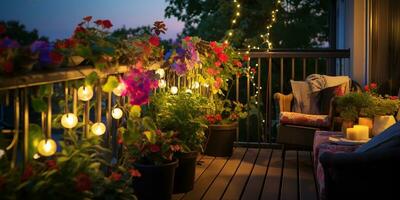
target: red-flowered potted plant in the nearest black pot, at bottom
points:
(150, 151)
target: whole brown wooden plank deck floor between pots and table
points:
(254, 174)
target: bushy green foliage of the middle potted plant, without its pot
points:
(183, 113)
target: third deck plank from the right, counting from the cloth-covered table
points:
(273, 178)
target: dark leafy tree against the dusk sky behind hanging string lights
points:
(300, 23)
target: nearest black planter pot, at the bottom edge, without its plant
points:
(156, 182)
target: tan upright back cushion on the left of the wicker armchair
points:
(304, 100)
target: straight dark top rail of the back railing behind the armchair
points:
(301, 53)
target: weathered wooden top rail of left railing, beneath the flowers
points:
(55, 76)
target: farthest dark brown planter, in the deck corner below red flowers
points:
(220, 140)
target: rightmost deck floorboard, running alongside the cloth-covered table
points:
(307, 188)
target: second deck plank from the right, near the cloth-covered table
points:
(289, 177)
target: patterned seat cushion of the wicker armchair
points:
(301, 119)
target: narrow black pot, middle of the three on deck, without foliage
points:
(185, 172)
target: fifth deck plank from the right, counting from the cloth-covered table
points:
(238, 182)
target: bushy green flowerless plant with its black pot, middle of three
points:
(183, 113)
